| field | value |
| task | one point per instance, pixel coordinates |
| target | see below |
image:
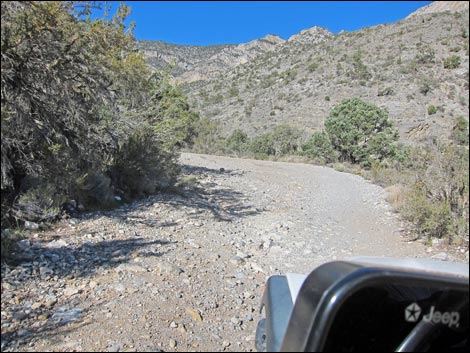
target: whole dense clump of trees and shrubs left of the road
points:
(80, 108)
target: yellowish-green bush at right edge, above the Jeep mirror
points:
(437, 201)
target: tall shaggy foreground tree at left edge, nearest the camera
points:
(64, 79)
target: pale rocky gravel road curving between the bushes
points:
(186, 271)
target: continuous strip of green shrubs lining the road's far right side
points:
(429, 184)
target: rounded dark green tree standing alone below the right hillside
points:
(361, 132)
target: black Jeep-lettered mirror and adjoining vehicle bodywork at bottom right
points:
(369, 305)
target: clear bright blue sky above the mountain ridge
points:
(234, 22)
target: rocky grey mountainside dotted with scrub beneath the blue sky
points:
(416, 68)
